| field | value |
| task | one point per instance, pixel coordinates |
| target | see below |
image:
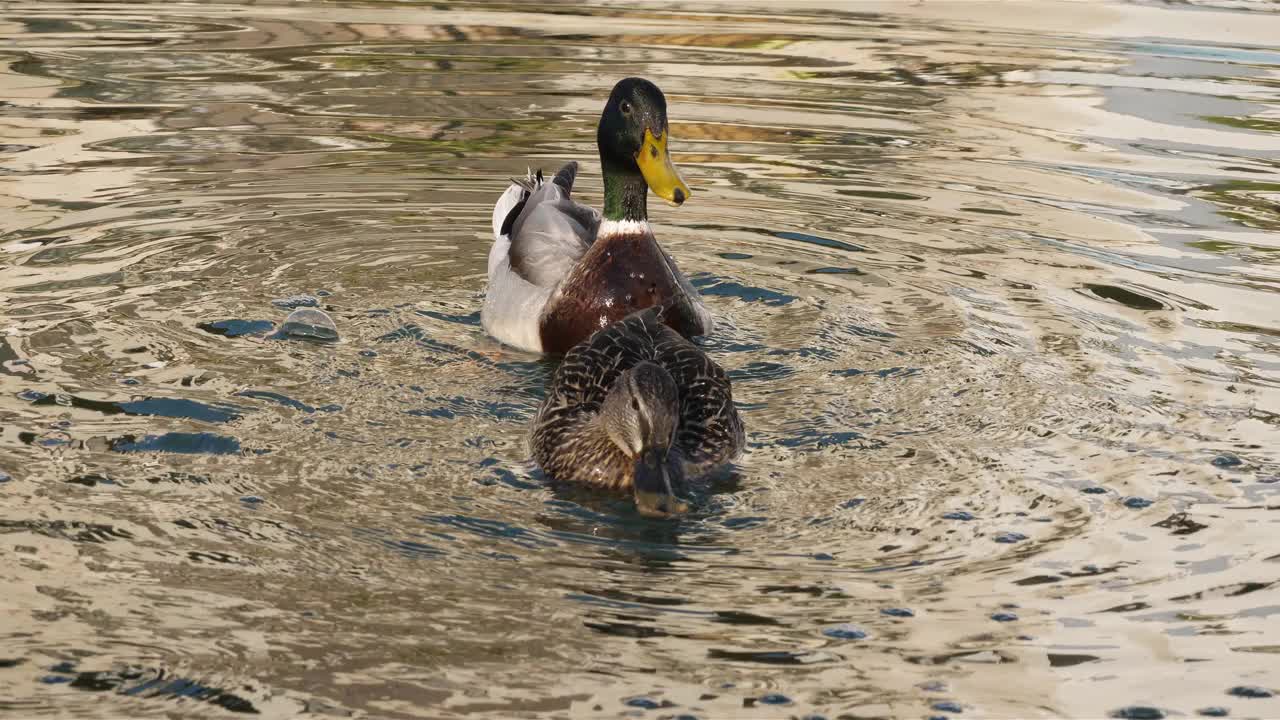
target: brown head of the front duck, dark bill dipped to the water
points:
(641, 414)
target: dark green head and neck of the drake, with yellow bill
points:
(633, 142)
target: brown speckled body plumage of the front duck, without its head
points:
(570, 444)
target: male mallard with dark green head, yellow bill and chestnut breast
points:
(559, 271)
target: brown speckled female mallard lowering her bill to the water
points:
(637, 407)
